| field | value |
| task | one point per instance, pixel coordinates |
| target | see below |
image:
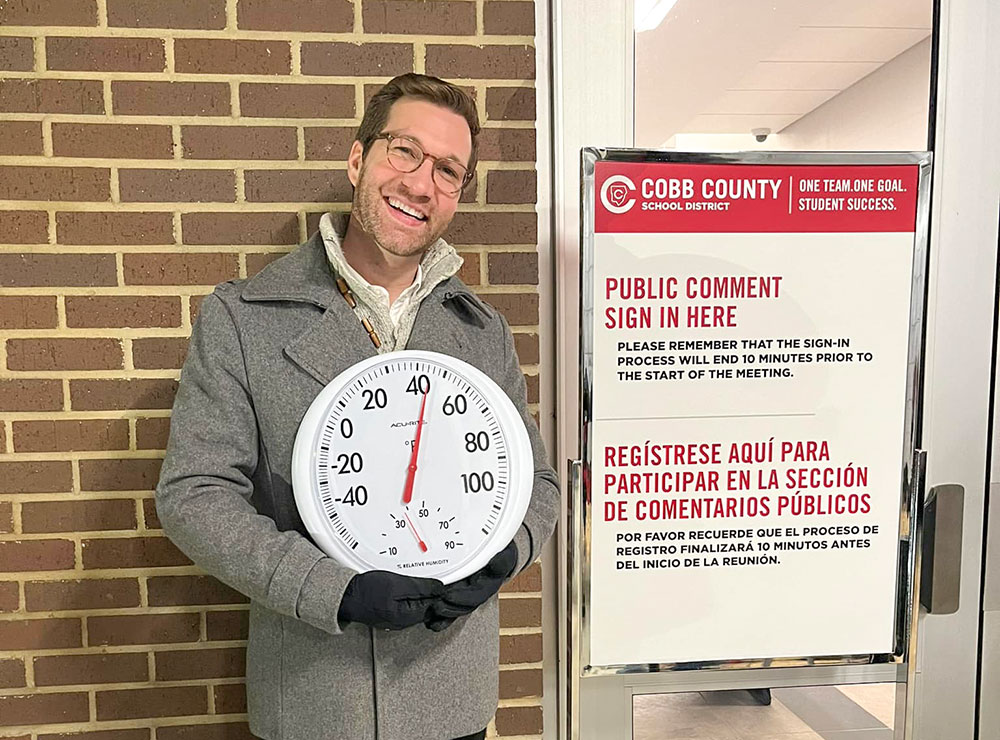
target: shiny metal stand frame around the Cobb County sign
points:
(800, 671)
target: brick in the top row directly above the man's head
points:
(425, 18)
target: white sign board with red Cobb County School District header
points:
(746, 434)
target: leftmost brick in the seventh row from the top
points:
(48, 270)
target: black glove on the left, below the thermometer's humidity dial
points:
(387, 600)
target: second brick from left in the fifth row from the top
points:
(173, 186)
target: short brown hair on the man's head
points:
(422, 87)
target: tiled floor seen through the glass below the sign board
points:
(820, 713)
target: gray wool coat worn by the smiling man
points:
(260, 352)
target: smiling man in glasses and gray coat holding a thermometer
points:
(333, 654)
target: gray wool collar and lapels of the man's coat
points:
(305, 276)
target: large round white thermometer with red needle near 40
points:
(413, 462)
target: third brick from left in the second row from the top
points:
(228, 56)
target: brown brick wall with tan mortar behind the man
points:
(148, 150)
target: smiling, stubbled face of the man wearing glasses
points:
(382, 195)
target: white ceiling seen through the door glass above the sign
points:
(727, 66)
